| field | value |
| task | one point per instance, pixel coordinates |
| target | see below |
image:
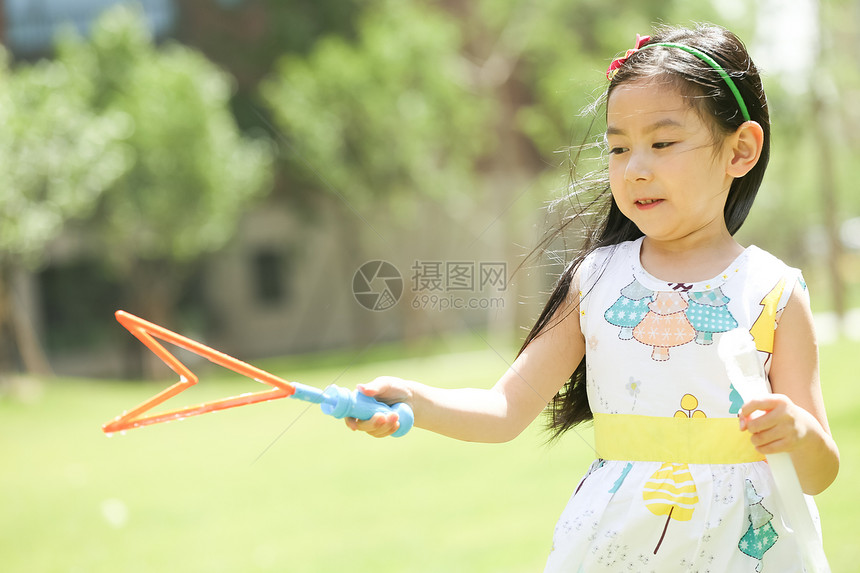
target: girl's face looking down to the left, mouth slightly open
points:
(665, 171)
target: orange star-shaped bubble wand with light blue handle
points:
(334, 401)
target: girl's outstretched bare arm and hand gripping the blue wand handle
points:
(500, 413)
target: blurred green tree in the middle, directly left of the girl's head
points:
(456, 102)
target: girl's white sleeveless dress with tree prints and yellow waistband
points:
(677, 486)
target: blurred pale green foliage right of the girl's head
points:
(806, 197)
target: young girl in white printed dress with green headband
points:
(680, 483)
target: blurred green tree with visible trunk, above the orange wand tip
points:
(190, 172)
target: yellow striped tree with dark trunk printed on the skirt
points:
(671, 491)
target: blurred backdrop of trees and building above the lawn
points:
(134, 153)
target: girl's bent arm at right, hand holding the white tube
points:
(795, 419)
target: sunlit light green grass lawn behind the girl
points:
(207, 495)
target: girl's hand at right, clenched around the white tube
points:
(776, 423)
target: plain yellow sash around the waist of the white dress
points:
(677, 440)
